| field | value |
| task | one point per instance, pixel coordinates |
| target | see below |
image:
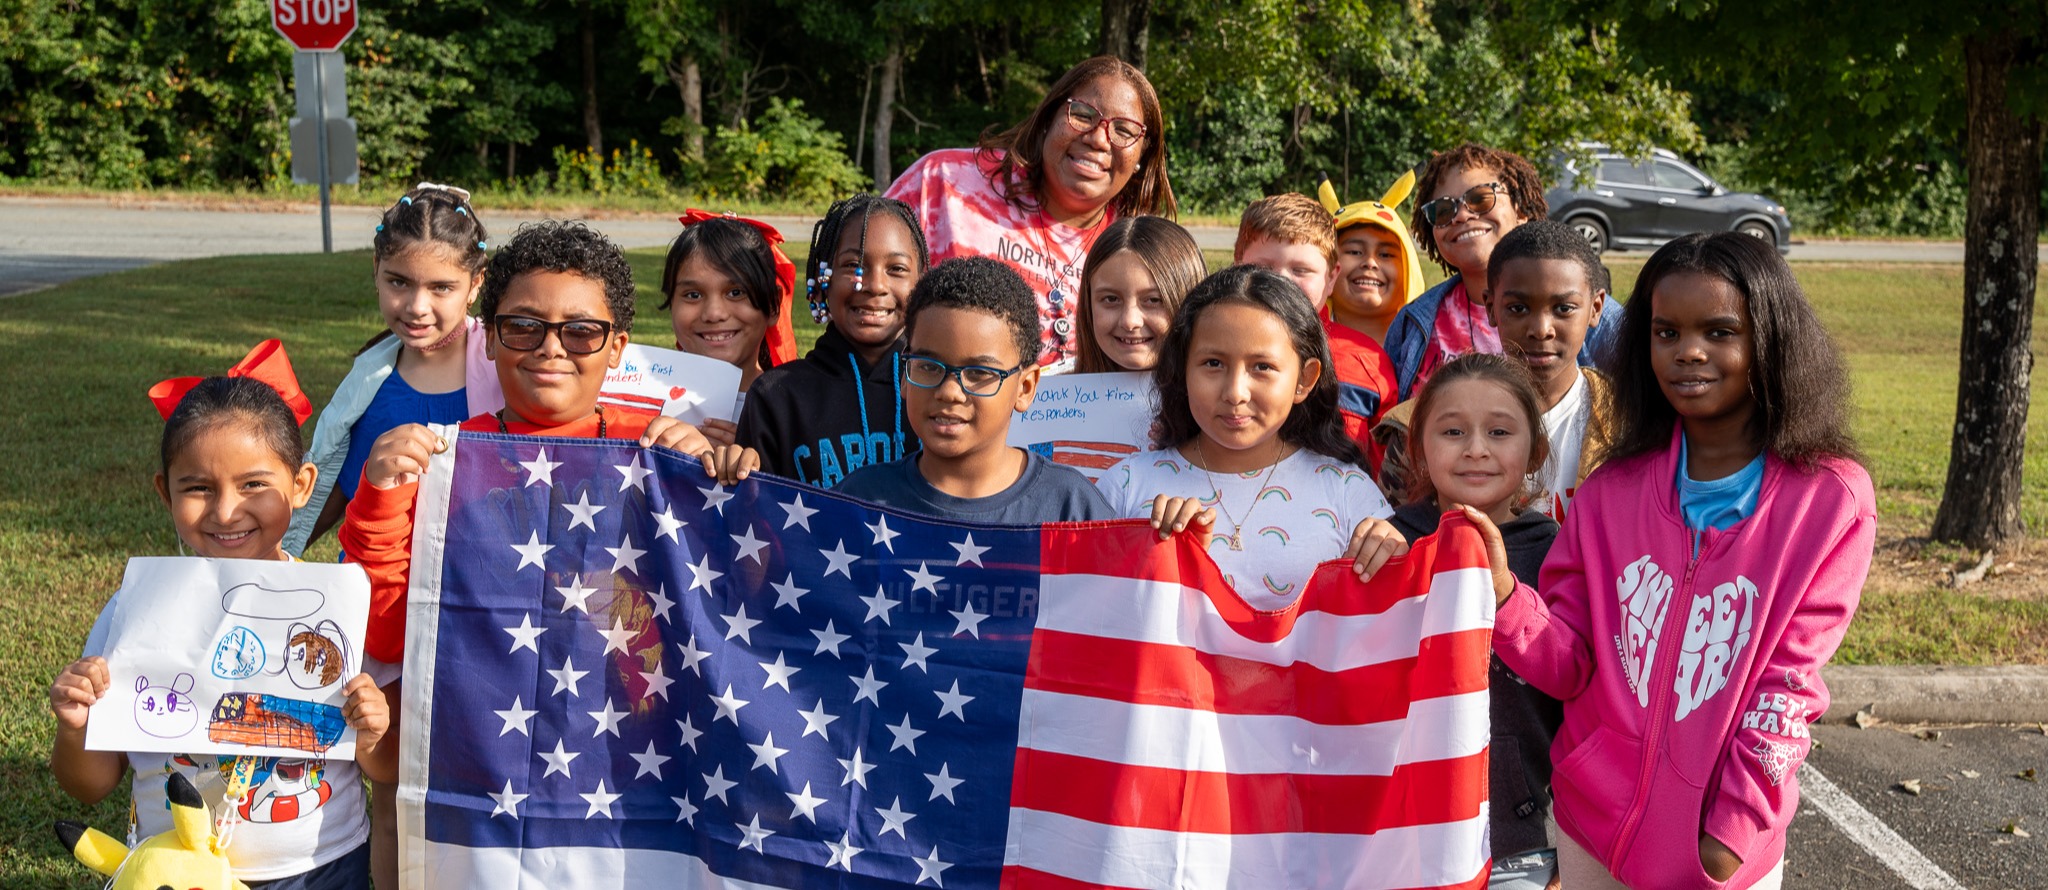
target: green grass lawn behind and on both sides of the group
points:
(77, 453)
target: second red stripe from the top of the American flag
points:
(1185, 678)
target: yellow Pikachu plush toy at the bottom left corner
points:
(183, 858)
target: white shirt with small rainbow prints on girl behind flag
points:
(1299, 517)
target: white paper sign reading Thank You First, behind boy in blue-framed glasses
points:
(1089, 422)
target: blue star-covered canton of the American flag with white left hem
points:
(640, 678)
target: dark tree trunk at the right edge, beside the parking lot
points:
(1981, 502)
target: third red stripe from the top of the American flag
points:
(1431, 793)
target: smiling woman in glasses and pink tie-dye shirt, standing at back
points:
(1039, 193)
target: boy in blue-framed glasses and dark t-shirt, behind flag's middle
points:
(970, 367)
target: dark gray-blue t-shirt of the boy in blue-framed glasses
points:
(1046, 492)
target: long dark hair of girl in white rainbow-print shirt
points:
(1316, 422)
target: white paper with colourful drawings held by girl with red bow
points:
(232, 658)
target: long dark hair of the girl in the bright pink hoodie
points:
(1795, 371)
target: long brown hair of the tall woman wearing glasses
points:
(1015, 152)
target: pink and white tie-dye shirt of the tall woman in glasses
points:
(964, 216)
